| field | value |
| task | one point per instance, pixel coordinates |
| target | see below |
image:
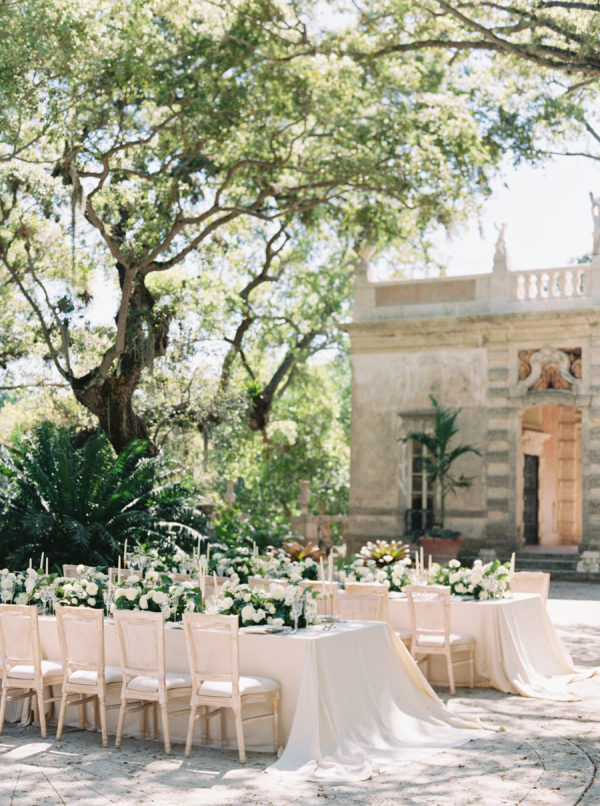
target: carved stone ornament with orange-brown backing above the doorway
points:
(549, 368)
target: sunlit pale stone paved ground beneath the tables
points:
(548, 754)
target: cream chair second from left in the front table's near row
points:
(86, 678)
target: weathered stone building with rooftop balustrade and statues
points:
(519, 353)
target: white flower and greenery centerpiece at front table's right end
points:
(272, 605)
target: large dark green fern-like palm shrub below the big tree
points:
(79, 503)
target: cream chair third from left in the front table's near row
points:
(146, 682)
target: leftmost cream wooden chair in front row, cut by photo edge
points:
(26, 673)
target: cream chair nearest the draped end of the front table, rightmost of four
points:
(213, 652)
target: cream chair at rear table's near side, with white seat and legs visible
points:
(429, 610)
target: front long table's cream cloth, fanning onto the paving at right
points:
(353, 701)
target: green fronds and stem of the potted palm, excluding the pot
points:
(440, 457)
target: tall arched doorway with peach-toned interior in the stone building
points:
(550, 475)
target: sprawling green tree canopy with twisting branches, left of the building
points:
(204, 157)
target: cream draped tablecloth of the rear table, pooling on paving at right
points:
(517, 649)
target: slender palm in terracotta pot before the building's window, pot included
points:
(438, 463)
